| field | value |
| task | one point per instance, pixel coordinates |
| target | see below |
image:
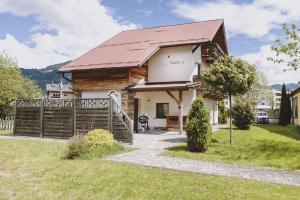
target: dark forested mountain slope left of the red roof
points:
(44, 75)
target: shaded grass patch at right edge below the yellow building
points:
(290, 131)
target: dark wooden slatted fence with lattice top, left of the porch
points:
(63, 118)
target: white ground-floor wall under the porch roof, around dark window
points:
(148, 100)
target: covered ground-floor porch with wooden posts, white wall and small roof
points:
(167, 104)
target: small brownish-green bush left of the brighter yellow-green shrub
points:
(76, 147)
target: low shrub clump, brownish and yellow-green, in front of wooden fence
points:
(95, 144)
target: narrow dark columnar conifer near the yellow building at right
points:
(285, 113)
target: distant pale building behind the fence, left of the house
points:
(59, 91)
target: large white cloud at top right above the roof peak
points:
(254, 19)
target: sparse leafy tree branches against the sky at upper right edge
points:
(287, 49)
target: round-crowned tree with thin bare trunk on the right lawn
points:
(232, 76)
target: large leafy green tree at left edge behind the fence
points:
(13, 85)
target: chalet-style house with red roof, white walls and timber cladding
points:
(153, 71)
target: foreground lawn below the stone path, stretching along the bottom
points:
(35, 170)
